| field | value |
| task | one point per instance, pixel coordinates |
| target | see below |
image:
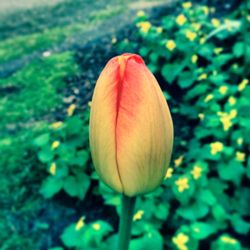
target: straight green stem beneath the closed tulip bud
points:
(128, 204)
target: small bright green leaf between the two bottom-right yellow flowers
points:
(201, 230)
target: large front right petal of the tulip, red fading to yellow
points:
(144, 130)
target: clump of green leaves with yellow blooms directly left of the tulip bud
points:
(64, 150)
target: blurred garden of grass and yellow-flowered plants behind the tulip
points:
(51, 53)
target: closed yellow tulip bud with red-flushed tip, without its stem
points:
(131, 130)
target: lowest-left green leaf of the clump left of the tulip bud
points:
(50, 186)
